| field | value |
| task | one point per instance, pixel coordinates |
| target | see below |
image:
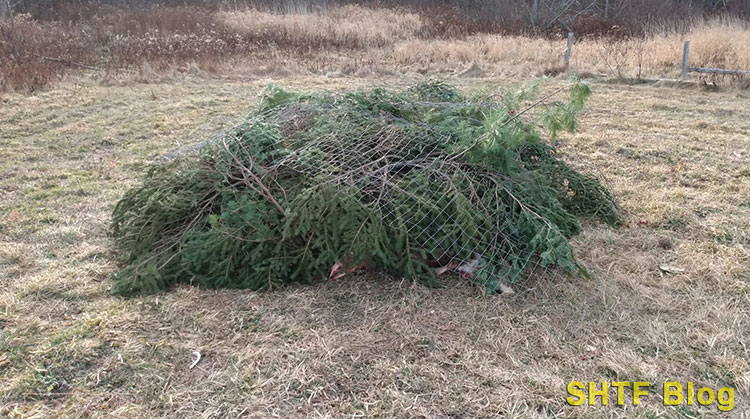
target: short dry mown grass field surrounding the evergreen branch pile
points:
(370, 345)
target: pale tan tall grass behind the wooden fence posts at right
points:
(719, 42)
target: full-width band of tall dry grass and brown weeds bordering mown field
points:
(346, 39)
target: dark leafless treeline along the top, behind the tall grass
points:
(448, 18)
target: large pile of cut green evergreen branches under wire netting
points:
(413, 183)
